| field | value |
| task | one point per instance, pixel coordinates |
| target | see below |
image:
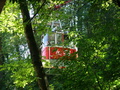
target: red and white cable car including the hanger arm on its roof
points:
(53, 47)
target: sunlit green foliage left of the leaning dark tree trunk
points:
(15, 51)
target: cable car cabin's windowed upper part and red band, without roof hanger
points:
(53, 46)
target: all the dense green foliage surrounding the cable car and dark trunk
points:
(94, 27)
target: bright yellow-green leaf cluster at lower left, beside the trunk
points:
(17, 71)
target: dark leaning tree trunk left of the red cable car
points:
(35, 54)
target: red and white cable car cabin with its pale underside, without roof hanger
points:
(53, 50)
